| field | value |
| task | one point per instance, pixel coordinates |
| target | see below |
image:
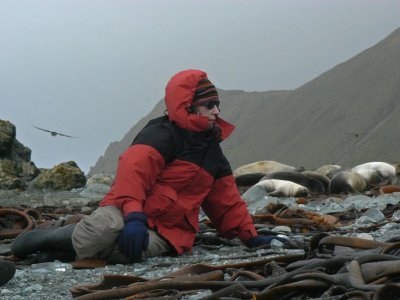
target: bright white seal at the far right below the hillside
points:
(377, 172)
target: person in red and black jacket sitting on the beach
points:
(174, 167)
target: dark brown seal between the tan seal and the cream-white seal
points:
(312, 184)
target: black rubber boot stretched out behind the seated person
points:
(50, 239)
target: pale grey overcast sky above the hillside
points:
(93, 68)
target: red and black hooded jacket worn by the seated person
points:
(174, 167)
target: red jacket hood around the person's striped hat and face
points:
(179, 96)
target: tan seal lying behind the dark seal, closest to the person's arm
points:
(264, 167)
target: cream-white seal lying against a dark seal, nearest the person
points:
(283, 188)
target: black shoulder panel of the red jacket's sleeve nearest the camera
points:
(160, 134)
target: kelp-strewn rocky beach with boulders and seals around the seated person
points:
(340, 244)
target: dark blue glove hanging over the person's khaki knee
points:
(134, 237)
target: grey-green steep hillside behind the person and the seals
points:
(348, 115)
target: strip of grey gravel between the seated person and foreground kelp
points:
(54, 279)
